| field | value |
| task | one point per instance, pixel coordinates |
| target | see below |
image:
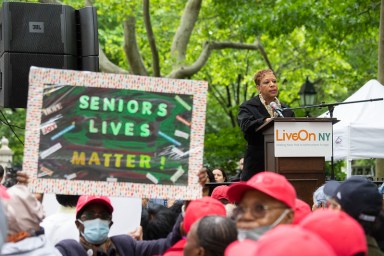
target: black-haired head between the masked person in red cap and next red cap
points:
(158, 223)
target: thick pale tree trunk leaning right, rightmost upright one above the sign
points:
(184, 31)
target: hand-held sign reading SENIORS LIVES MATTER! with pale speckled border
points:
(112, 134)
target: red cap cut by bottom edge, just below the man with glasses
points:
(292, 240)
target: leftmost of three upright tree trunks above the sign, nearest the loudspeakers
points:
(131, 48)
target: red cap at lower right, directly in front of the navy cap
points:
(340, 230)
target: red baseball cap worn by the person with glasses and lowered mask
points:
(270, 183)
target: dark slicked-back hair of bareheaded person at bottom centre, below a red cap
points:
(215, 233)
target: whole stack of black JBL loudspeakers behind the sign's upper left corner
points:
(43, 35)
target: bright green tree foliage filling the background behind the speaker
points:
(334, 43)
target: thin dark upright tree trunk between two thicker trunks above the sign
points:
(151, 39)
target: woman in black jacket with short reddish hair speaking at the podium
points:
(255, 112)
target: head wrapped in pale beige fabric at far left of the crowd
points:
(24, 212)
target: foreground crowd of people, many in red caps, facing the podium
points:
(265, 218)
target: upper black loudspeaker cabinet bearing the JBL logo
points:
(38, 28)
